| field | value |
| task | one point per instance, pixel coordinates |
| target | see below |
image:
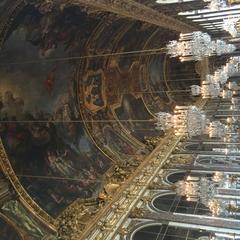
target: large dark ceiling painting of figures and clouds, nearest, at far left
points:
(39, 129)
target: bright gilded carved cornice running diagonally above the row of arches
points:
(109, 218)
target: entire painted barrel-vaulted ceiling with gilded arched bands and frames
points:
(71, 123)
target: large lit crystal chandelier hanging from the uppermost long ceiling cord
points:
(196, 46)
